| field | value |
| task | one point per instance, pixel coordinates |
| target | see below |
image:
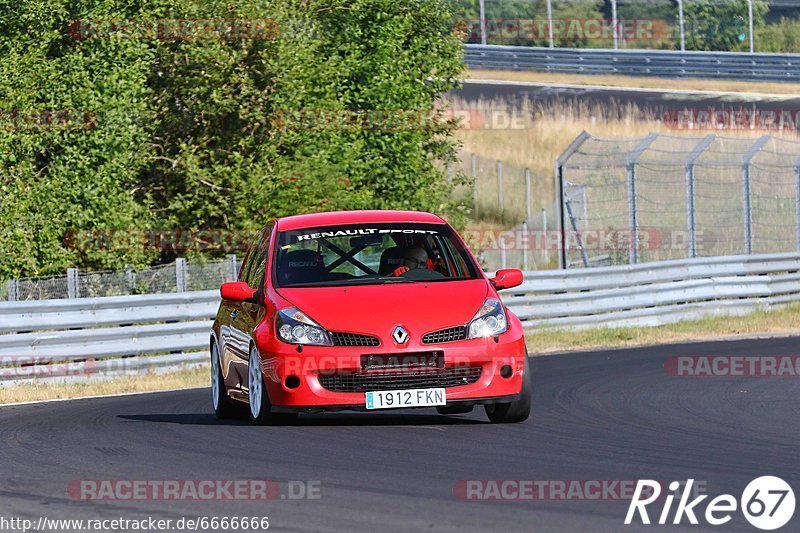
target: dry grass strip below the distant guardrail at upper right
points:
(689, 84)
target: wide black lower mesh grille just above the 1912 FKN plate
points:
(422, 379)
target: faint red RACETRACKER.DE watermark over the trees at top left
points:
(216, 29)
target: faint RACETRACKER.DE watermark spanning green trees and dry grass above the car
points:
(388, 120)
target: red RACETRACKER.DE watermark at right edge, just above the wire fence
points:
(754, 119)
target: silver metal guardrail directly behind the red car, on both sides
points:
(134, 334)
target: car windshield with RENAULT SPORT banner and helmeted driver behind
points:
(371, 254)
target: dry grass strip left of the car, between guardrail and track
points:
(49, 390)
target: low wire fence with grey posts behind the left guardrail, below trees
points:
(179, 276)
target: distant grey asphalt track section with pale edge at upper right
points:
(648, 100)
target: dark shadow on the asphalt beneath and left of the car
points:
(311, 420)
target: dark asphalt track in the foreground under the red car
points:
(611, 415)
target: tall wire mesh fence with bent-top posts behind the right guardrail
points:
(667, 197)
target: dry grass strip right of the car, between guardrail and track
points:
(783, 321)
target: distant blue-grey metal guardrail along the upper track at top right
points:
(661, 63)
